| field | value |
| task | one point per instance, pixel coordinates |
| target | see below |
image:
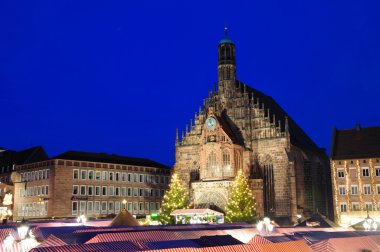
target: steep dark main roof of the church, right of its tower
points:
(297, 136)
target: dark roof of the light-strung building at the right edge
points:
(356, 143)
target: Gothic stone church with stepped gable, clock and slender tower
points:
(241, 128)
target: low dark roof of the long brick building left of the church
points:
(109, 158)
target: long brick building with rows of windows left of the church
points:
(93, 184)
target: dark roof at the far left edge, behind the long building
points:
(31, 155)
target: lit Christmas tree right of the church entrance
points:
(241, 204)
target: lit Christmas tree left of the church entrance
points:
(175, 198)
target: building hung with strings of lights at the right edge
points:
(355, 169)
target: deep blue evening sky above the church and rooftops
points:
(121, 76)
